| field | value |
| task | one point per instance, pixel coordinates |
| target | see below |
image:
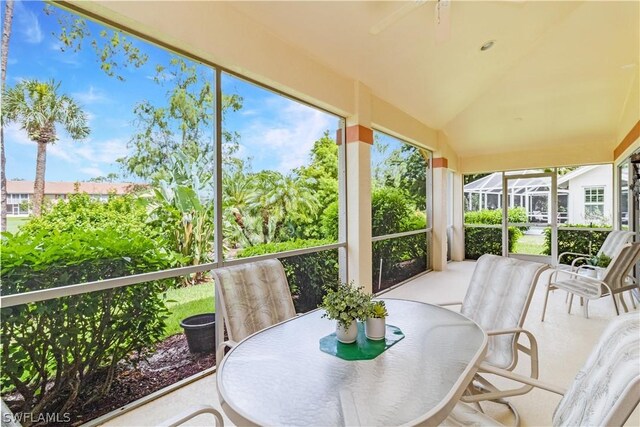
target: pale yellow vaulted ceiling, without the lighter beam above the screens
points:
(559, 72)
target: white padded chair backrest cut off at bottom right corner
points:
(607, 388)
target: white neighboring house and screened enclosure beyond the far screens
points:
(585, 195)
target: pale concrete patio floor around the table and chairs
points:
(564, 340)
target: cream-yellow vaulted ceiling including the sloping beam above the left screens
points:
(562, 77)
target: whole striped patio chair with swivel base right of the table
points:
(498, 299)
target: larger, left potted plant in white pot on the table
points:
(345, 304)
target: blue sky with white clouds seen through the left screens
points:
(276, 133)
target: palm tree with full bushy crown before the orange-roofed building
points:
(38, 107)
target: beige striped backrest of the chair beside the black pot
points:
(253, 296)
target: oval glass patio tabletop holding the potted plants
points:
(279, 376)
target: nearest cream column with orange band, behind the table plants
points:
(359, 138)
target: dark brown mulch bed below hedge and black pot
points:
(170, 363)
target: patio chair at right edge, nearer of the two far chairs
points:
(615, 280)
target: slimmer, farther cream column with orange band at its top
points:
(439, 221)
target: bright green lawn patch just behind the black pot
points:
(185, 302)
